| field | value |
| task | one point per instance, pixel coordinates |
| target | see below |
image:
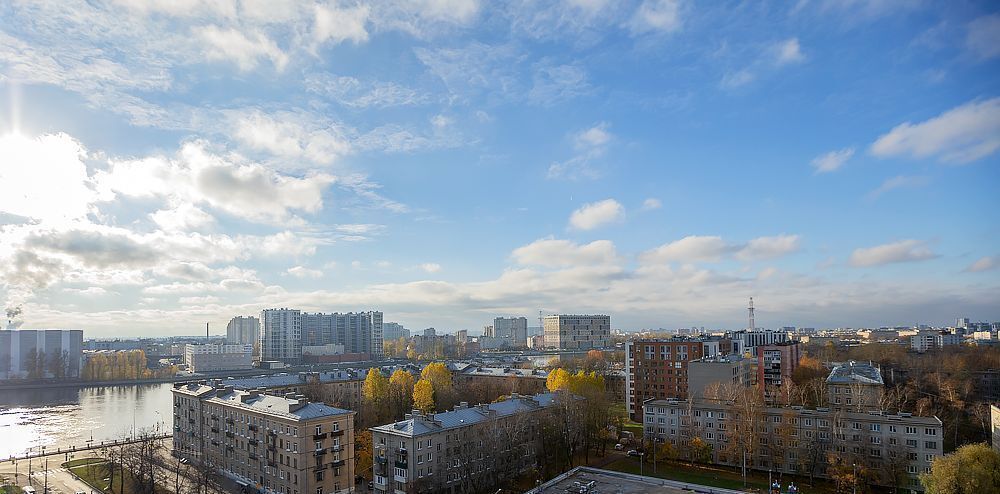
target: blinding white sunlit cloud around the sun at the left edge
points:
(44, 178)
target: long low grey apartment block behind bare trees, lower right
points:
(888, 448)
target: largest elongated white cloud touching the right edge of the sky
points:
(960, 135)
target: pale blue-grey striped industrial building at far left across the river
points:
(40, 353)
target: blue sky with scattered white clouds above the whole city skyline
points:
(168, 164)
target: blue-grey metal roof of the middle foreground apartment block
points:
(464, 415)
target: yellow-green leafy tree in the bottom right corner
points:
(973, 468)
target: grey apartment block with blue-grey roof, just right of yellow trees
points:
(459, 451)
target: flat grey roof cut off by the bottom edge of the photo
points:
(596, 481)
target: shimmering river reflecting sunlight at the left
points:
(64, 417)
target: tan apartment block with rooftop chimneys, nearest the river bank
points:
(276, 444)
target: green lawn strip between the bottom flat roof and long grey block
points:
(710, 476)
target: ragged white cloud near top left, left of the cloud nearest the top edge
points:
(245, 49)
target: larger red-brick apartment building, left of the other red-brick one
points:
(658, 369)
